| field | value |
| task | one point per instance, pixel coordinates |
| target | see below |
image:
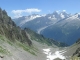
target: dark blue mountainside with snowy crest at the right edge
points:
(66, 30)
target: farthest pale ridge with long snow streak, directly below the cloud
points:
(22, 20)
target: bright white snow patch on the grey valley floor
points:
(53, 56)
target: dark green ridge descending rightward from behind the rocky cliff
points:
(41, 39)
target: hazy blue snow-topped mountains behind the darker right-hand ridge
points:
(40, 22)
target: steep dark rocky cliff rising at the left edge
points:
(9, 29)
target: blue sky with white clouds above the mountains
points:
(18, 8)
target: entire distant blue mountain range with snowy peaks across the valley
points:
(60, 26)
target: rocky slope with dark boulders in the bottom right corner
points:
(73, 51)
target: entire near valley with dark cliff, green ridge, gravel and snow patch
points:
(25, 44)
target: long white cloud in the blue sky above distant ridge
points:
(18, 13)
